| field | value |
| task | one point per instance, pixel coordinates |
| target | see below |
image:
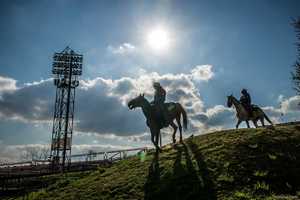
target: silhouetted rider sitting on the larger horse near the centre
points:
(159, 100)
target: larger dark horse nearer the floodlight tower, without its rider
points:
(175, 110)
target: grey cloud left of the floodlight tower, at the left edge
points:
(28, 103)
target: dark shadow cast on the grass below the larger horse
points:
(187, 181)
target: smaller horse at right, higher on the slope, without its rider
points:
(243, 115)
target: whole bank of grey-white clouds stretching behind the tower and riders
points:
(101, 104)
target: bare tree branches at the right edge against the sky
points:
(296, 73)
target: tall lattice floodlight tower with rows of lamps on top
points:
(67, 67)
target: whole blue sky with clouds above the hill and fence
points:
(215, 48)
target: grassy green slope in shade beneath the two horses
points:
(232, 164)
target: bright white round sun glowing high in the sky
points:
(158, 39)
